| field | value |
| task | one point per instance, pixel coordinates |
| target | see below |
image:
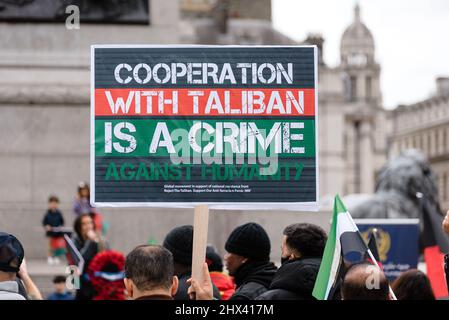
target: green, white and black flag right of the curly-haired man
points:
(344, 237)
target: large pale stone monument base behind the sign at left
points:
(45, 112)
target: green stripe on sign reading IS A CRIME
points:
(153, 137)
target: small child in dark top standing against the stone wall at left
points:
(52, 220)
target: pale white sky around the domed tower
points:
(411, 38)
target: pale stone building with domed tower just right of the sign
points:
(353, 126)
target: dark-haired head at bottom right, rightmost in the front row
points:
(412, 285)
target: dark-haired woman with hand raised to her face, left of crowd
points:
(89, 243)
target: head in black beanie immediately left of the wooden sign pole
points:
(179, 241)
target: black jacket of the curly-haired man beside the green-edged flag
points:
(294, 280)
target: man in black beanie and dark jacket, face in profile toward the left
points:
(248, 261)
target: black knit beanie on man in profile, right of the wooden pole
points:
(251, 241)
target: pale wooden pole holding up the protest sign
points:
(200, 228)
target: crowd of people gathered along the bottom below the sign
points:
(164, 272)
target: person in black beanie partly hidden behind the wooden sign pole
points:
(179, 242)
